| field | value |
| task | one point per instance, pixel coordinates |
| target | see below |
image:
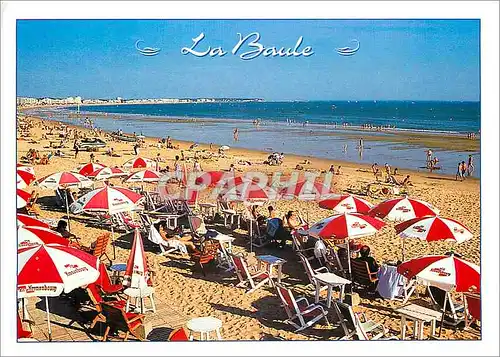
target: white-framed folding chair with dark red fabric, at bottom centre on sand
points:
(301, 314)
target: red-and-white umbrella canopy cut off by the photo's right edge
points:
(443, 271)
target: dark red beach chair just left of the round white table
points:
(119, 320)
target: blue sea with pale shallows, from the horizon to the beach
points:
(325, 129)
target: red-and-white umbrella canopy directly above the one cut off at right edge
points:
(434, 228)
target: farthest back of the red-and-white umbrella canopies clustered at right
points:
(402, 209)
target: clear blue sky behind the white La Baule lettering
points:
(396, 60)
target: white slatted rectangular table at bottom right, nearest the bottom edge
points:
(419, 315)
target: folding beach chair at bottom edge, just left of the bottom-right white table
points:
(357, 325)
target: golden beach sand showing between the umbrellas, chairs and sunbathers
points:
(258, 315)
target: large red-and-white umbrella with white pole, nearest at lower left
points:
(48, 270)
